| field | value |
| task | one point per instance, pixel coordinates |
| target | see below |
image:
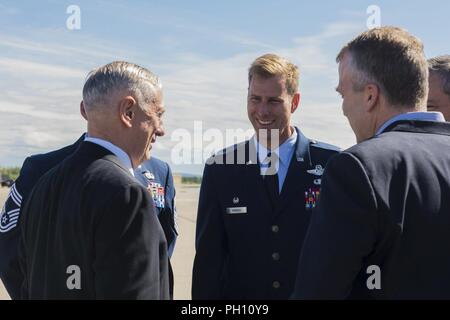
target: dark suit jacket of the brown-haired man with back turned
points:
(385, 203)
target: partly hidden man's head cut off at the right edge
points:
(439, 82)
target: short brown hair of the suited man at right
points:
(393, 59)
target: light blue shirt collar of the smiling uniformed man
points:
(284, 153)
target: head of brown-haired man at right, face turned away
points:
(382, 71)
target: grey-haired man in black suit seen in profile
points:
(94, 216)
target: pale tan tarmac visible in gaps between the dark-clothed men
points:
(186, 202)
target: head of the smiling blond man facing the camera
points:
(272, 95)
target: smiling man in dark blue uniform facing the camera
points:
(256, 197)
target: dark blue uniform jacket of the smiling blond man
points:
(253, 254)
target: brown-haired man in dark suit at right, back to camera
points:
(381, 230)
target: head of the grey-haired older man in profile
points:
(124, 105)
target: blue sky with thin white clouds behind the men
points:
(200, 49)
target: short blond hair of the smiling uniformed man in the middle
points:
(271, 65)
